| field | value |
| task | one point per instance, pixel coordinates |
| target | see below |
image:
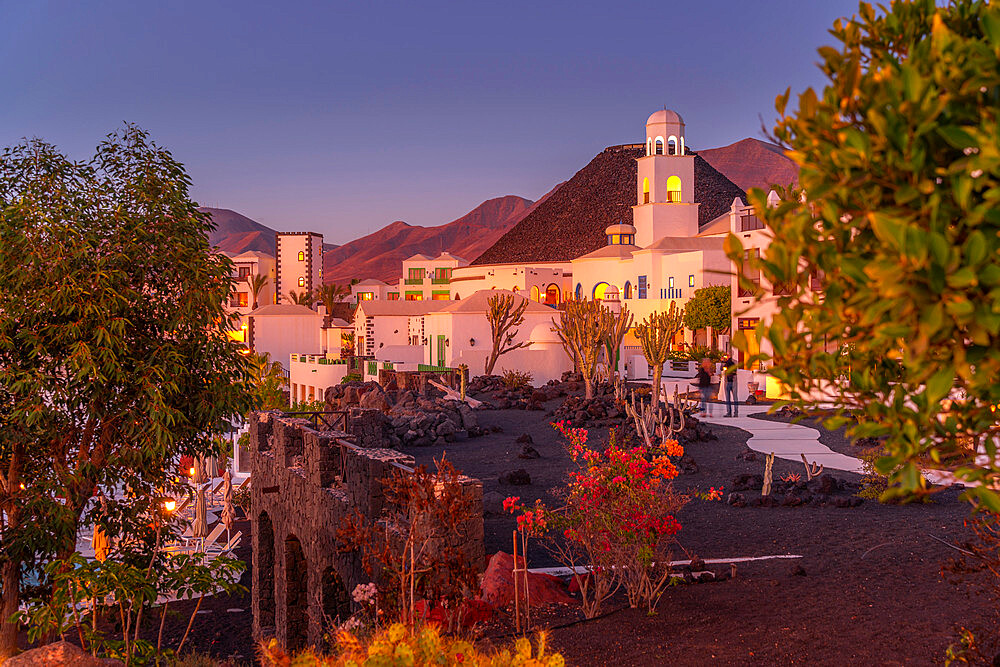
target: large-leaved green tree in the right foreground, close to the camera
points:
(897, 223)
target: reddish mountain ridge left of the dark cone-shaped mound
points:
(380, 254)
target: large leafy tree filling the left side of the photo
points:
(115, 357)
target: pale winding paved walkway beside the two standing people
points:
(787, 441)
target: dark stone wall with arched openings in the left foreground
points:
(304, 483)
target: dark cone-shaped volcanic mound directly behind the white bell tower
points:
(571, 222)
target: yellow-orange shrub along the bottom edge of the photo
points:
(396, 645)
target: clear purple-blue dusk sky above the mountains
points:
(343, 117)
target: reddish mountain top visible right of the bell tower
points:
(752, 163)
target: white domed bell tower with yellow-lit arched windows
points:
(665, 203)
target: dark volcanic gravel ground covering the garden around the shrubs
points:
(872, 592)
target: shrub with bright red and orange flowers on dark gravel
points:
(618, 519)
